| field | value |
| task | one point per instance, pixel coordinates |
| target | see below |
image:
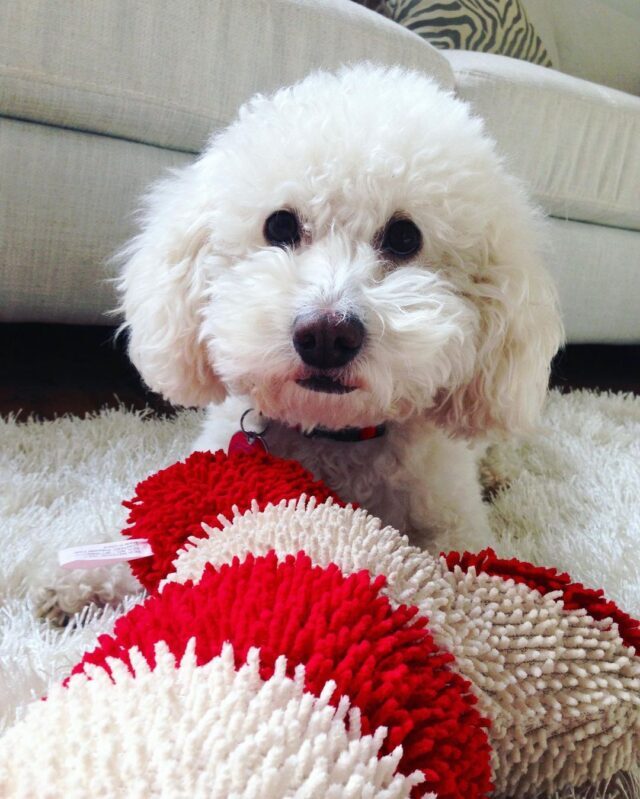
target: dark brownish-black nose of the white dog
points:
(327, 341)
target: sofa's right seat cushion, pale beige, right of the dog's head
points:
(575, 143)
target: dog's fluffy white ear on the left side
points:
(163, 288)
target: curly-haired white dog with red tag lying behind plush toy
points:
(350, 260)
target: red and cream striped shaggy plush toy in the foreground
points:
(291, 646)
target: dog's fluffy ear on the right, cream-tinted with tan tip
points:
(519, 333)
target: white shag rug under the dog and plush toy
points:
(573, 502)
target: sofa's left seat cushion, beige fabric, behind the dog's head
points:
(167, 73)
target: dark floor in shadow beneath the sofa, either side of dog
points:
(48, 370)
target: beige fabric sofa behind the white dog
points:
(99, 99)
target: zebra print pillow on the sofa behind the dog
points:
(490, 26)
